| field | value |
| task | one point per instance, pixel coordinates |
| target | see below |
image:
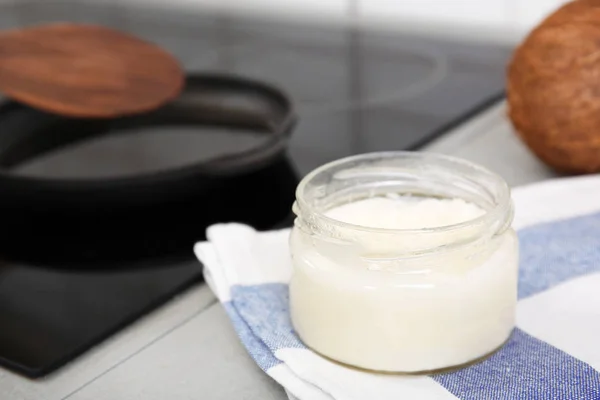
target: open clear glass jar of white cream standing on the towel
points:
(403, 300)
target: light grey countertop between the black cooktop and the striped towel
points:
(188, 350)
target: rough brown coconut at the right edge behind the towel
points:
(553, 89)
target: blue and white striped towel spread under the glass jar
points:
(553, 354)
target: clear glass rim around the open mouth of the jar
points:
(502, 202)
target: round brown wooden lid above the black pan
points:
(86, 71)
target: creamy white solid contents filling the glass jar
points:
(370, 306)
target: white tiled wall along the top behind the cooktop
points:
(508, 20)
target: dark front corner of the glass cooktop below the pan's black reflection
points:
(48, 317)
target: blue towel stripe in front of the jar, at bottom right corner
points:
(525, 368)
